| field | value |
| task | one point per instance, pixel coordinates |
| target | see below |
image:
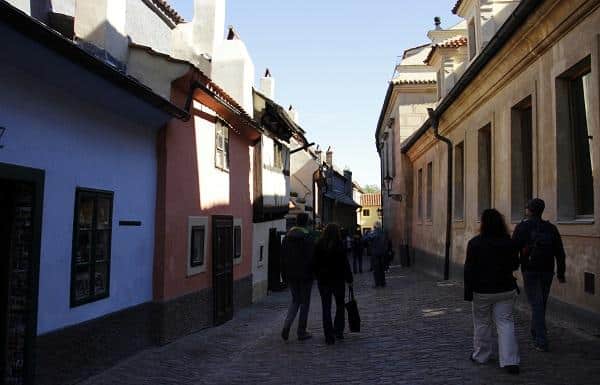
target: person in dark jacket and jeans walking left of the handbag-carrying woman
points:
(298, 261)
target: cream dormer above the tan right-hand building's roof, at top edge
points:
(483, 19)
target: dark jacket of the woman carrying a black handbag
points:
(331, 263)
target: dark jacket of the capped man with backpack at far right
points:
(541, 263)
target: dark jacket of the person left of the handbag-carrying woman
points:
(298, 254)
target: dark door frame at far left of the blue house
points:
(36, 177)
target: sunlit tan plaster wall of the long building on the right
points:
(567, 32)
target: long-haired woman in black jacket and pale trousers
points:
(491, 286)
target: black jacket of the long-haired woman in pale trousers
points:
(489, 265)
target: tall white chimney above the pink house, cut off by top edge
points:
(208, 25)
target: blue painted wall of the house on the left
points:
(81, 144)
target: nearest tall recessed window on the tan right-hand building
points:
(574, 142)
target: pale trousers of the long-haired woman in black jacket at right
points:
(500, 307)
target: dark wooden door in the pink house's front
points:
(223, 268)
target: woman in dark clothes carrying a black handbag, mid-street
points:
(332, 269)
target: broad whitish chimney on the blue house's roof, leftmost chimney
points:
(100, 27)
